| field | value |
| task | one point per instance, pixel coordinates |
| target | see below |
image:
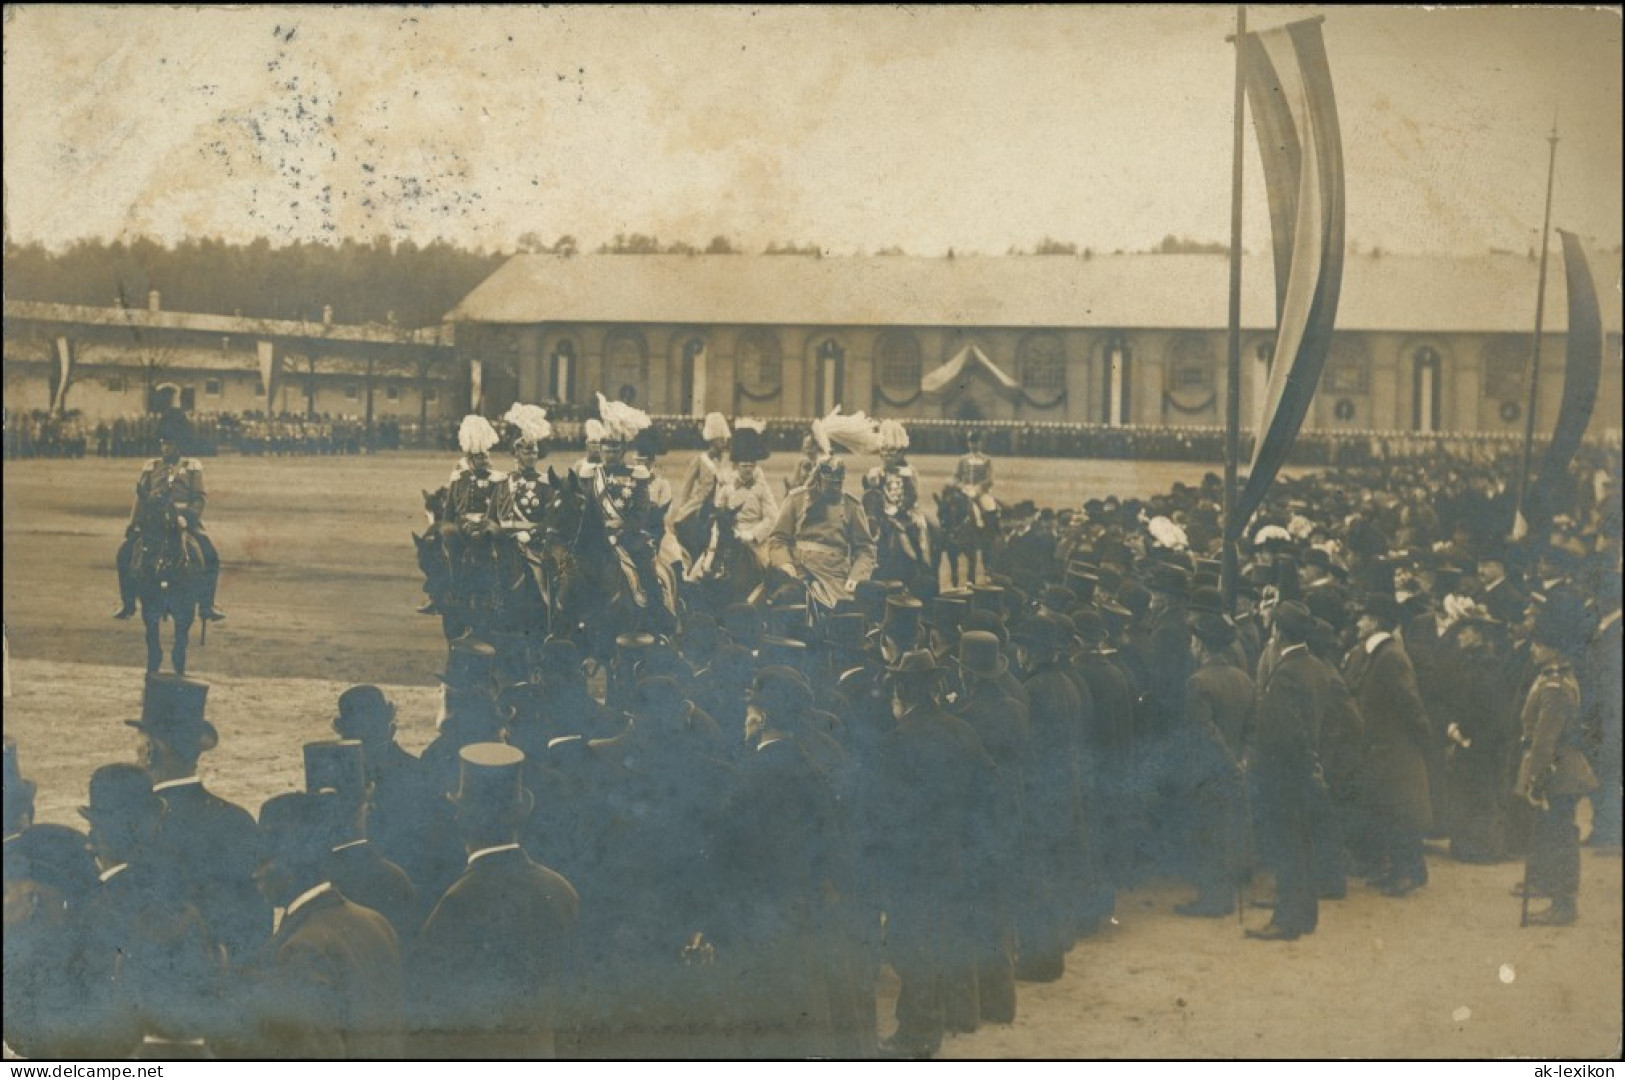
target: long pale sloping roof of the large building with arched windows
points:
(1400, 293)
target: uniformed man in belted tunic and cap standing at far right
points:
(1554, 774)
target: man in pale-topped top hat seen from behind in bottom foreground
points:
(493, 967)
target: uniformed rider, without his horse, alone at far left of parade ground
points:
(170, 490)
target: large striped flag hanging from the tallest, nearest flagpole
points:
(1296, 118)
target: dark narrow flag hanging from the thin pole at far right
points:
(1582, 374)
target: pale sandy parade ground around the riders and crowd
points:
(321, 589)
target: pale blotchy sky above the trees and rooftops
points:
(856, 129)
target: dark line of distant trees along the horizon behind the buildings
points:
(365, 283)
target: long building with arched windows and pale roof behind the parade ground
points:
(1423, 345)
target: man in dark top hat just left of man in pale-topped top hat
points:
(355, 865)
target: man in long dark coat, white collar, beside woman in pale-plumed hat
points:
(1397, 732)
